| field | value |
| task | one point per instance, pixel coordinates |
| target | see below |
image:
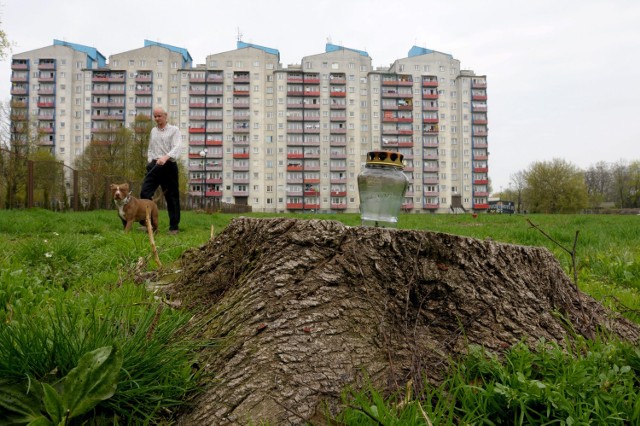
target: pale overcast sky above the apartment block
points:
(563, 76)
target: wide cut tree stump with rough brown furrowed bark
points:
(298, 310)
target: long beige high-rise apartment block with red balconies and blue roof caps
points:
(280, 139)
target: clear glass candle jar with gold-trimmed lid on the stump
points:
(382, 185)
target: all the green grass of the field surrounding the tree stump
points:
(66, 288)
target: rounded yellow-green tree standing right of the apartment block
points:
(555, 186)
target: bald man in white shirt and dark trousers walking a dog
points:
(162, 168)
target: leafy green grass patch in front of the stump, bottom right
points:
(596, 383)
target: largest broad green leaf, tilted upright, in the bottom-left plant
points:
(93, 380)
